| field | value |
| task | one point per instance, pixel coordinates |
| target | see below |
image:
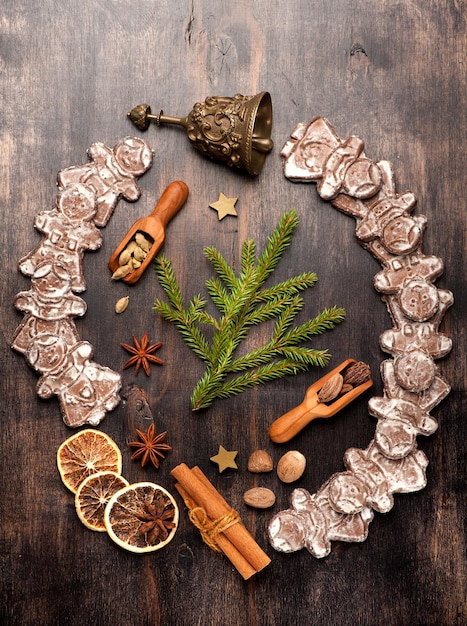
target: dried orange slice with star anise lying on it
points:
(142, 517)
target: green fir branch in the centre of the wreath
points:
(243, 303)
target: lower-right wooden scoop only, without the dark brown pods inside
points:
(291, 423)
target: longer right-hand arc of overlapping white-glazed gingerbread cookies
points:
(343, 507)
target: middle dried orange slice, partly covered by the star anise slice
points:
(92, 496)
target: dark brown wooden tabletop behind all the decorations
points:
(392, 72)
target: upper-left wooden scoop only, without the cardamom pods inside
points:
(153, 228)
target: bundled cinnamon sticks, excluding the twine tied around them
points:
(234, 541)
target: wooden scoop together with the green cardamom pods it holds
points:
(146, 236)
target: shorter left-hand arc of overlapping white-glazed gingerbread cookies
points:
(47, 336)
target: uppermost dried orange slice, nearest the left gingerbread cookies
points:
(87, 452)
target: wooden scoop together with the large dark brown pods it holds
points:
(324, 398)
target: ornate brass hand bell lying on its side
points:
(235, 131)
